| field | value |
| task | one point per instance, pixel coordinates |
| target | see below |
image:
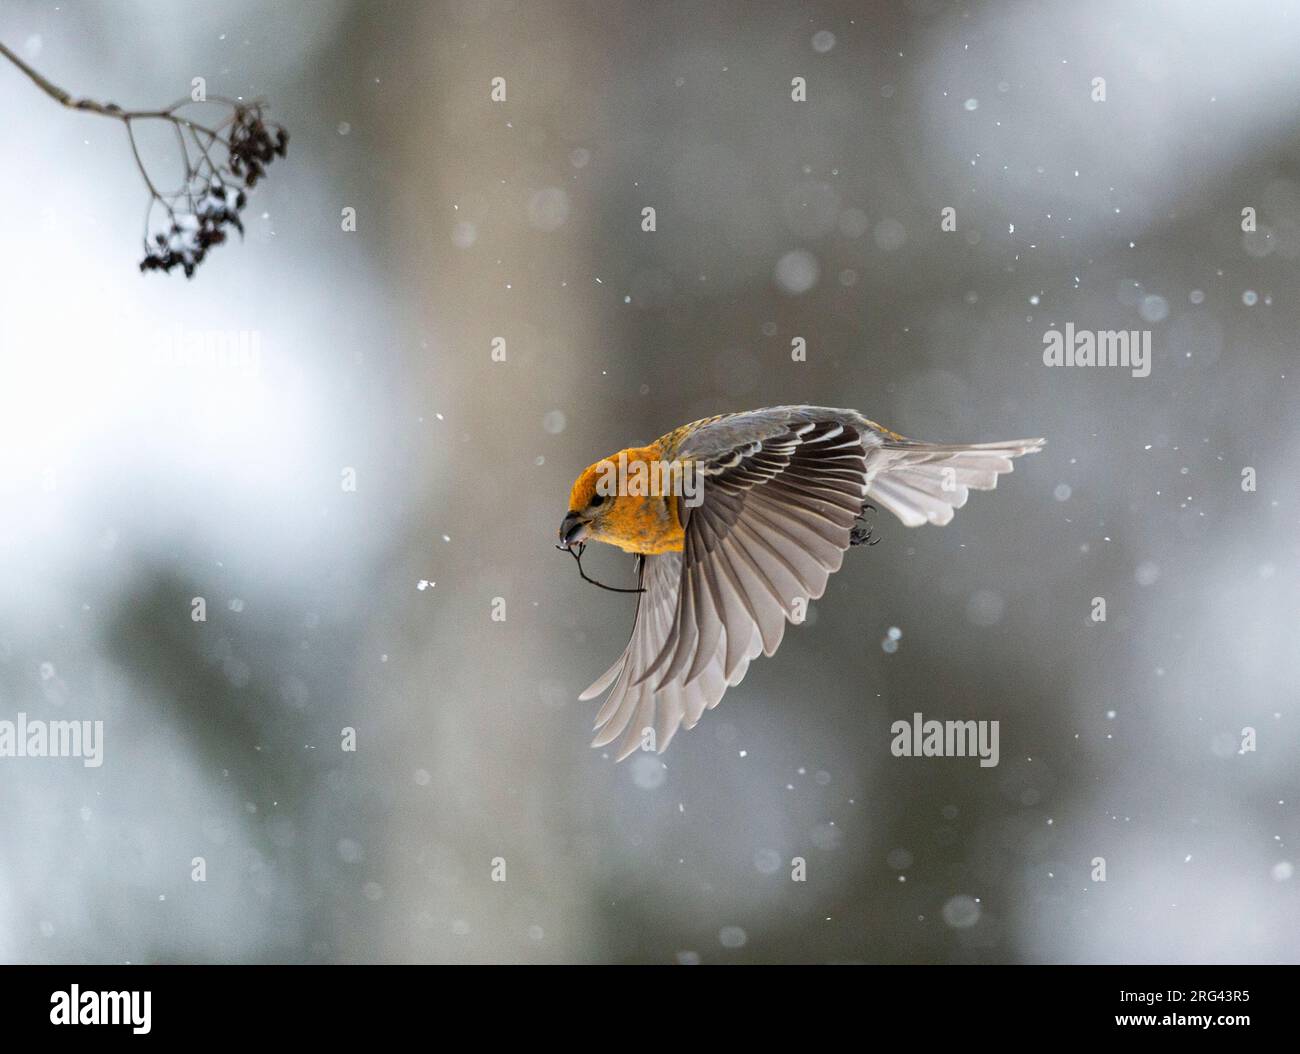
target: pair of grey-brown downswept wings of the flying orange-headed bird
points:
(773, 527)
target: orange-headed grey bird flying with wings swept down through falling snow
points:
(738, 522)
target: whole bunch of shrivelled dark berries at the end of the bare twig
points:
(213, 198)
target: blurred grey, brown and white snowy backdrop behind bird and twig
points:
(132, 484)
